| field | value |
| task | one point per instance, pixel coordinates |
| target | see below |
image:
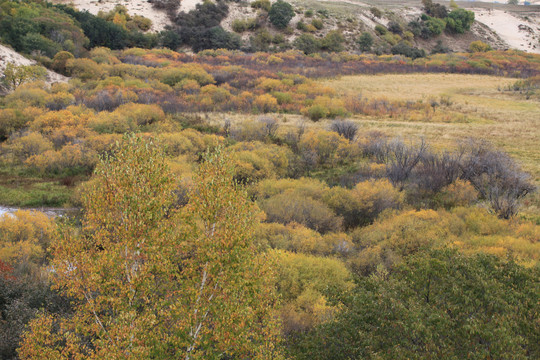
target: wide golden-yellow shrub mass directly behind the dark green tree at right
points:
(469, 229)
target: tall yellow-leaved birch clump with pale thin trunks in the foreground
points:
(152, 281)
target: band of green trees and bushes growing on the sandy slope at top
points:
(203, 28)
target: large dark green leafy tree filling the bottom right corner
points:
(434, 306)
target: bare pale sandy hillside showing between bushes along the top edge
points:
(501, 26)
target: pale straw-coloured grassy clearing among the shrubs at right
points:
(512, 123)
